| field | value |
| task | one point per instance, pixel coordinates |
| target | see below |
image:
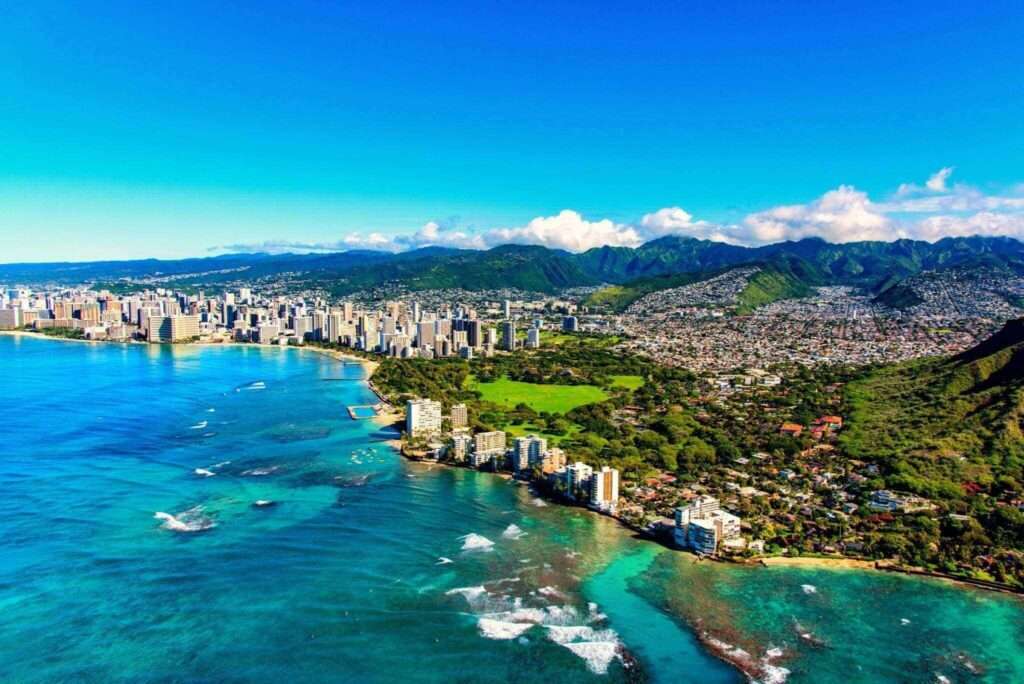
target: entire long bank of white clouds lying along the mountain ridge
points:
(930, 212)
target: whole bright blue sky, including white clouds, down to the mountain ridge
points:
(170, 130)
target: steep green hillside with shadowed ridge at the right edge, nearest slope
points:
(944, 427)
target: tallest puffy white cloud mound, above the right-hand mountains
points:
(842, 216)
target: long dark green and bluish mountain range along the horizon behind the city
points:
(876, 266)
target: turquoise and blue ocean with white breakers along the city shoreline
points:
(214, 515)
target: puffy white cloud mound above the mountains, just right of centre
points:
(567, 231)
